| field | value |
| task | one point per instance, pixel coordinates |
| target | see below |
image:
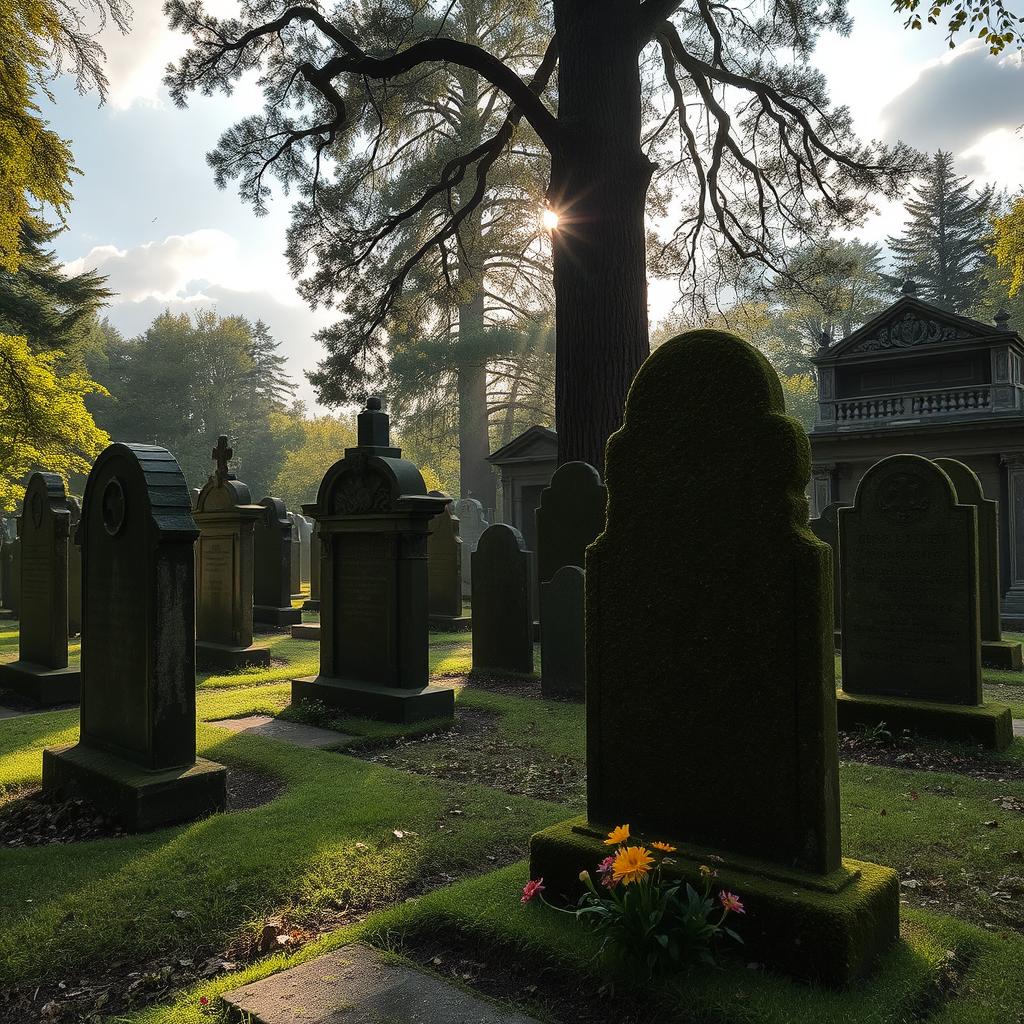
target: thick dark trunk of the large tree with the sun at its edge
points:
(600, 183)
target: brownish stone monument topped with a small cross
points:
(227, 519)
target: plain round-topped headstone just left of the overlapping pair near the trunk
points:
(503, 627)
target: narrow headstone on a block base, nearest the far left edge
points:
(41, 673)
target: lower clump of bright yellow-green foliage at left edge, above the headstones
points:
(44, 420)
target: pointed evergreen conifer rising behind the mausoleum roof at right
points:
(946, 240)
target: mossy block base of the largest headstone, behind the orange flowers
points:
(829, 929)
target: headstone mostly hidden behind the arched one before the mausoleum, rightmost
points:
(995, 651)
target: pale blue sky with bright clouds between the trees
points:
(148, 215)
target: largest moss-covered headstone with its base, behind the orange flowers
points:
(720, 744)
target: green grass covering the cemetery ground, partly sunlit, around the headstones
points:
(465, 800)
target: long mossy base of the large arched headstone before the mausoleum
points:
(990, 726)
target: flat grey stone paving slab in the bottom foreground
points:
(359, 986)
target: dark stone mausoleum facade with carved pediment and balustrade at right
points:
(920, 380)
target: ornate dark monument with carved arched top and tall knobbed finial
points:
(373, 513)
